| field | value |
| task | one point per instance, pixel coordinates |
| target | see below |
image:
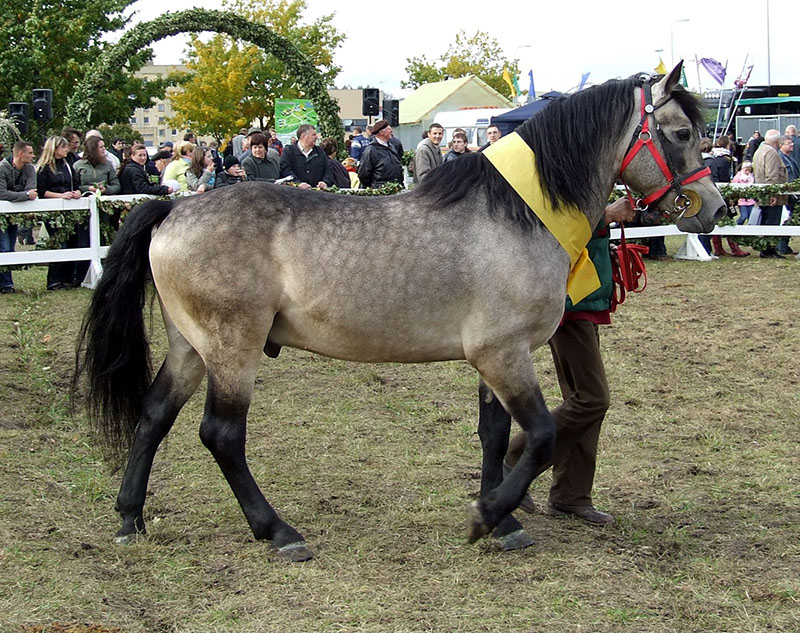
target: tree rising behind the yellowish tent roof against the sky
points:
(480, 55)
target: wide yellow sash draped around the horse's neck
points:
(516, 162)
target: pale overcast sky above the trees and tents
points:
(557, 41)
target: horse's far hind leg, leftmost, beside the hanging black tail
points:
(178, 378)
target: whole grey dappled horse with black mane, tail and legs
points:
(458, 268)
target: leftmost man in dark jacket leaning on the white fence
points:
(17, 184)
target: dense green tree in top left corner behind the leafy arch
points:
(52, 45)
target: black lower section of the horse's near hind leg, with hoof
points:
(223, 432)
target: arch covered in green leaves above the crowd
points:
(79, 106)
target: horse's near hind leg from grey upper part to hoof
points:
(223, 431)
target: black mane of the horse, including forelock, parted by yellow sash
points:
(569, 137)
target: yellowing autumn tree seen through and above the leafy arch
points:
(268, 78)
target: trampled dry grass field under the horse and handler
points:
(375, 464)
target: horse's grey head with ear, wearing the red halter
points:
(663, 159)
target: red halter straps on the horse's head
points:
(643, 138)
